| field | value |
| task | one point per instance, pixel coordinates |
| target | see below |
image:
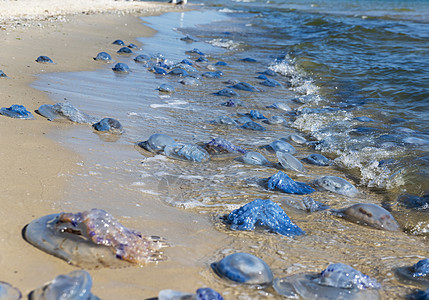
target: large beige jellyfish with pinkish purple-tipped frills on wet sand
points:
(92, 239)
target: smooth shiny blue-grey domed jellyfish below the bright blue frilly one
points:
(243, 268)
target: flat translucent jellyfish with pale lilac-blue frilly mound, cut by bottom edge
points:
(337, 281)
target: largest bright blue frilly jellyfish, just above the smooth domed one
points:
(263, 213)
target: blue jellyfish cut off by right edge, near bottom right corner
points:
(417, 274)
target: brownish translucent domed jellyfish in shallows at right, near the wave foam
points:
(370, 215)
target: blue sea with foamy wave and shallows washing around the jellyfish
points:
(355, 75)
